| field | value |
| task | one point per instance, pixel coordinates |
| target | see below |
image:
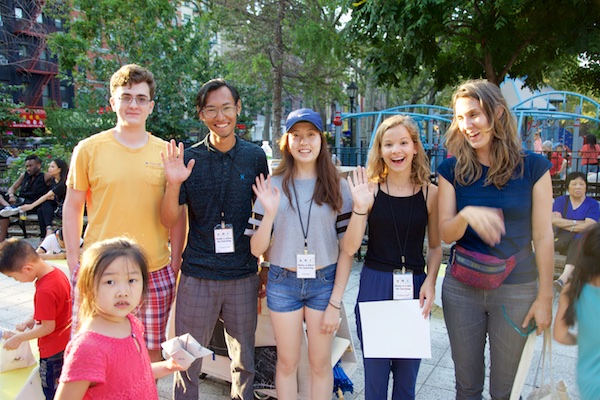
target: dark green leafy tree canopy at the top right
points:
(460, 39)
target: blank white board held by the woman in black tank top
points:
(394, 329)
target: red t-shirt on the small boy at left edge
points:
(52, 302)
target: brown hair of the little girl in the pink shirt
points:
(96, 260)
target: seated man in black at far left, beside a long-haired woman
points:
(32, 184)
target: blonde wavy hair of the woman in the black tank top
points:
(377, 170)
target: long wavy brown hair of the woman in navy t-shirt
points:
(506, 153)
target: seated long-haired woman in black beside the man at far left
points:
(48, 203)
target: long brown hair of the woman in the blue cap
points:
(327, 188)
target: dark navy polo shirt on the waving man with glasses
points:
(220, 182)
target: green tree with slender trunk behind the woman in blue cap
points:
(284, 49)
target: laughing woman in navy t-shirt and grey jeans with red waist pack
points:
(486, 193)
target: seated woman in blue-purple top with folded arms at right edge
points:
(575, 213)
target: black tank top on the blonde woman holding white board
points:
(383, 253)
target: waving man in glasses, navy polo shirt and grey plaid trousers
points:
(214, 179)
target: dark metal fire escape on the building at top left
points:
(34, 63)
